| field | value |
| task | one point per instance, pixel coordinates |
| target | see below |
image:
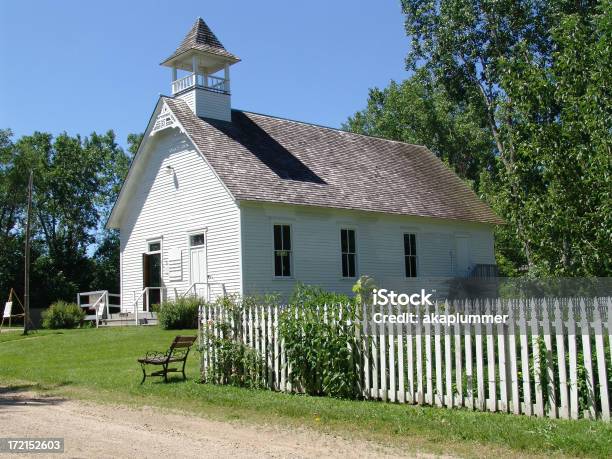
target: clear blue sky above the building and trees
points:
(80, 67)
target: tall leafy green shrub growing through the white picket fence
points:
(321, 348)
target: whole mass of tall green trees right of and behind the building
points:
(522, 87)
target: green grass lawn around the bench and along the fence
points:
(100, 365)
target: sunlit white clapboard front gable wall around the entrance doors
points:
(170, 206)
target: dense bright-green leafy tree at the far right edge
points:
(559, 117)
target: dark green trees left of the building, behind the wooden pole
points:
(76, 180)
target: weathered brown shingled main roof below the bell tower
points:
(263, 158)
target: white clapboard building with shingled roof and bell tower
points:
(225, 200)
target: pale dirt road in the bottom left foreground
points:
(92, 430)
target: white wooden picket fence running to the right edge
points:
(551, 358)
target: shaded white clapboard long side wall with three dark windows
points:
(380, 250)
